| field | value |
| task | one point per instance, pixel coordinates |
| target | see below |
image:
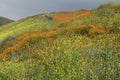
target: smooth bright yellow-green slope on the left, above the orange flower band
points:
(27, 24)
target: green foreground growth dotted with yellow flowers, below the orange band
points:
(68, 58)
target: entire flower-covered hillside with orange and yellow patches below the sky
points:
(74, 45)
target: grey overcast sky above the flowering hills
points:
(17, 9)
